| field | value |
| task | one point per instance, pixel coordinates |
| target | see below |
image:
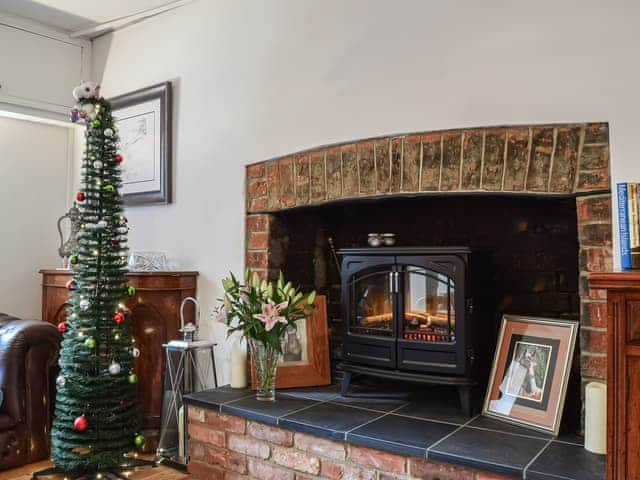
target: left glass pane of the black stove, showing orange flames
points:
(372, 302)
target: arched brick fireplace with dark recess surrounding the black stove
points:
(538, 196)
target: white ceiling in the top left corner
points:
(74, 15)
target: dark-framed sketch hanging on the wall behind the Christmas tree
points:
(143, 119)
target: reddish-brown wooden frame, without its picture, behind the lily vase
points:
(314, 370)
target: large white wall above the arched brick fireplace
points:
(258, 79)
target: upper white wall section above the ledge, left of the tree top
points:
(41, 66)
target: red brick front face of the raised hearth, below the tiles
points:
(228, 447)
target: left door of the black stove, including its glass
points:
(371, 306)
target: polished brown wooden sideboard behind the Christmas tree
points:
(155, 311)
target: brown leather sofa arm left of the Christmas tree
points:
(28, 367)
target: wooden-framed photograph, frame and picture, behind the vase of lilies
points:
(305, 351)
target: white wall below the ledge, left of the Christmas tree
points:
(35, 173)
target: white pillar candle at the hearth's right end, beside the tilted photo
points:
(595, 418)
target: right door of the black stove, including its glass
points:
(431, 317)
